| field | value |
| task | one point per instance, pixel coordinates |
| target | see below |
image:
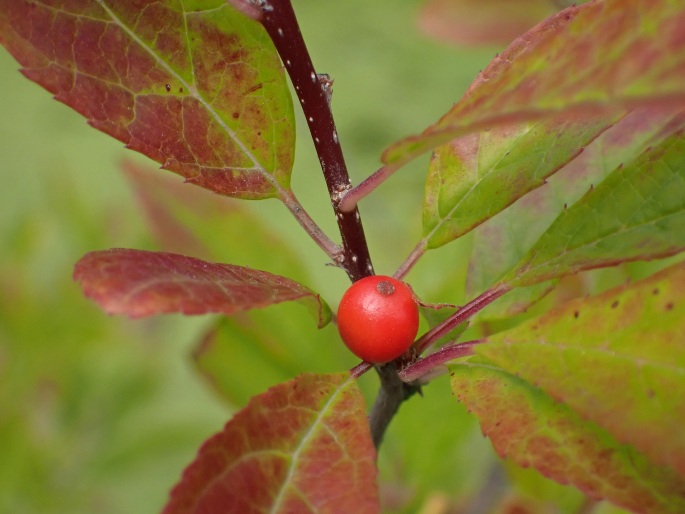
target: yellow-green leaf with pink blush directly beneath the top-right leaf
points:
(473, 178)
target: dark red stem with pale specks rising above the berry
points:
(278, 18)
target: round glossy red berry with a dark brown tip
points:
(378, 318)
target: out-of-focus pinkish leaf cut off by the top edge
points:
(475, 22)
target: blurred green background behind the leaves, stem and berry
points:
(101, 414)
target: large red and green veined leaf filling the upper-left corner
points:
(197, 87)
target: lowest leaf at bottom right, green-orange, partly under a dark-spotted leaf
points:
(528, 427)
